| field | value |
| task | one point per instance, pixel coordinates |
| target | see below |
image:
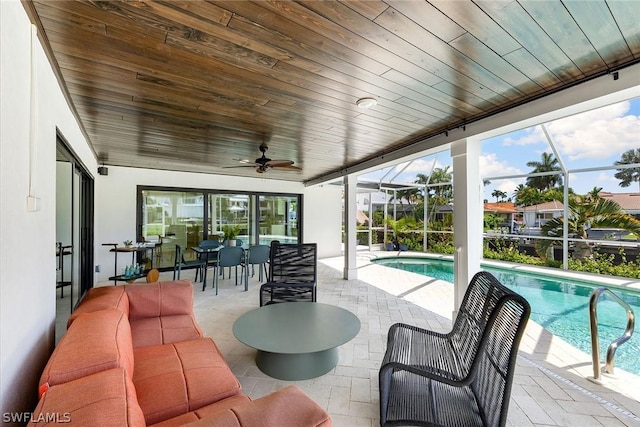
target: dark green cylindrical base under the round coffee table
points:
(296, 367)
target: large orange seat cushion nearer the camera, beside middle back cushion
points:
(173, 379)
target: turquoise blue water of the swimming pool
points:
(560, 305)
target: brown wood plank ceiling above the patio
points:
(199, 85)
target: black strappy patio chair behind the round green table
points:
(292, 274)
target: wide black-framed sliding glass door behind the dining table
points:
(185, 217)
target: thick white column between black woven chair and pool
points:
(468, 214)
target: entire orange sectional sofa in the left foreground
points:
(133, 355)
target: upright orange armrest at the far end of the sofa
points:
(160, 299)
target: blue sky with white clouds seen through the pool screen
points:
(592, 139)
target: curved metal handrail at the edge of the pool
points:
(593, 323)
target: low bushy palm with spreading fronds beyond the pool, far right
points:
(586, 213)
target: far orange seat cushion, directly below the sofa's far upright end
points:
(164, 330)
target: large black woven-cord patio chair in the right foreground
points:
(464, 377)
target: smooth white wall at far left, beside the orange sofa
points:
(27, 239)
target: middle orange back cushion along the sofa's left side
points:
(95, 342)
